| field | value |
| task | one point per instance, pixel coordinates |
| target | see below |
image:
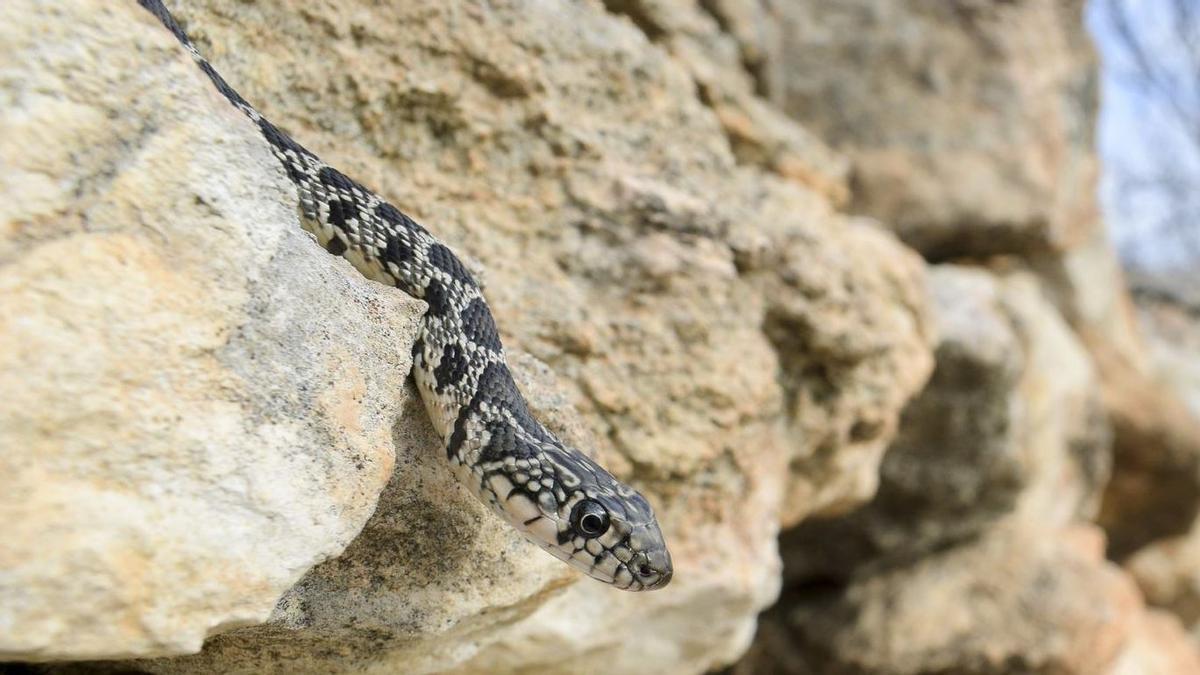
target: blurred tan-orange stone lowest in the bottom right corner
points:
(1019, 600)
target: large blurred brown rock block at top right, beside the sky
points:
(969, 124)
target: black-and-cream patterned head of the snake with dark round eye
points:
(572, 507)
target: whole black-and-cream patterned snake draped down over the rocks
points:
(551, 493)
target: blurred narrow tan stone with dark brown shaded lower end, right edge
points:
(1156, 480)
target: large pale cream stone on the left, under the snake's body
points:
(199, 402)
